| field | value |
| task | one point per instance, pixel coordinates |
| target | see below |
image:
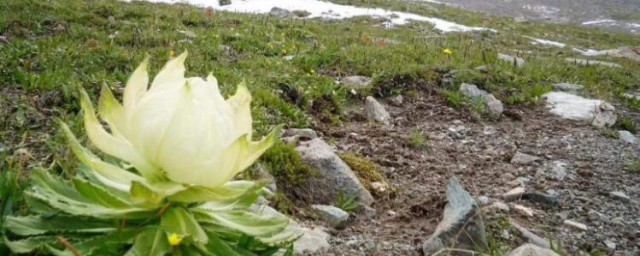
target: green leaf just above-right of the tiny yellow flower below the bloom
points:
(178, 220)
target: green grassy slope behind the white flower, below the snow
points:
(58, 45)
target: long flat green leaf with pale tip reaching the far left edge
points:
(37, 225)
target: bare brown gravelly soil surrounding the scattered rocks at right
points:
(481, 158)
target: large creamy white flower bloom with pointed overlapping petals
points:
(180, 130)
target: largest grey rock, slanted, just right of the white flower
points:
(333, 174)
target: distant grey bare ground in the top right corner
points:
(617, 15)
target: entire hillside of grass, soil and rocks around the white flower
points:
(535, 120)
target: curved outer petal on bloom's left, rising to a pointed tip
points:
(111, 145)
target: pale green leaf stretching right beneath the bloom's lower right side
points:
(245, 222)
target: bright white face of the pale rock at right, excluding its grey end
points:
(571, 106)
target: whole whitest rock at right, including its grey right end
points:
(599, 113)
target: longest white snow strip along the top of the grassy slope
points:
(327, 10)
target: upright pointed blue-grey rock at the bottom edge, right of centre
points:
(459, 218)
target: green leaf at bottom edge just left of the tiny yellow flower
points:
(151, 242)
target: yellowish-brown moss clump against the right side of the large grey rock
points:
(366, 170)
